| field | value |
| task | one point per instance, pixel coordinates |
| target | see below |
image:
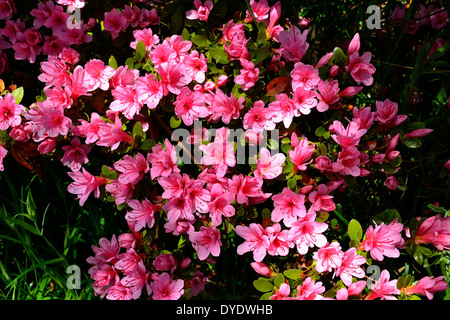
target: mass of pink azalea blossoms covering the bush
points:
(117, 111)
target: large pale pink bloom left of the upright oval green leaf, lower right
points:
(307, 233)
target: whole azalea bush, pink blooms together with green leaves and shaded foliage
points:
(234, 138)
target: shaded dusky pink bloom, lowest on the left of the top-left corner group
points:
(27, 45)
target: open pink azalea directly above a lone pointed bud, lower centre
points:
(256, 240)
